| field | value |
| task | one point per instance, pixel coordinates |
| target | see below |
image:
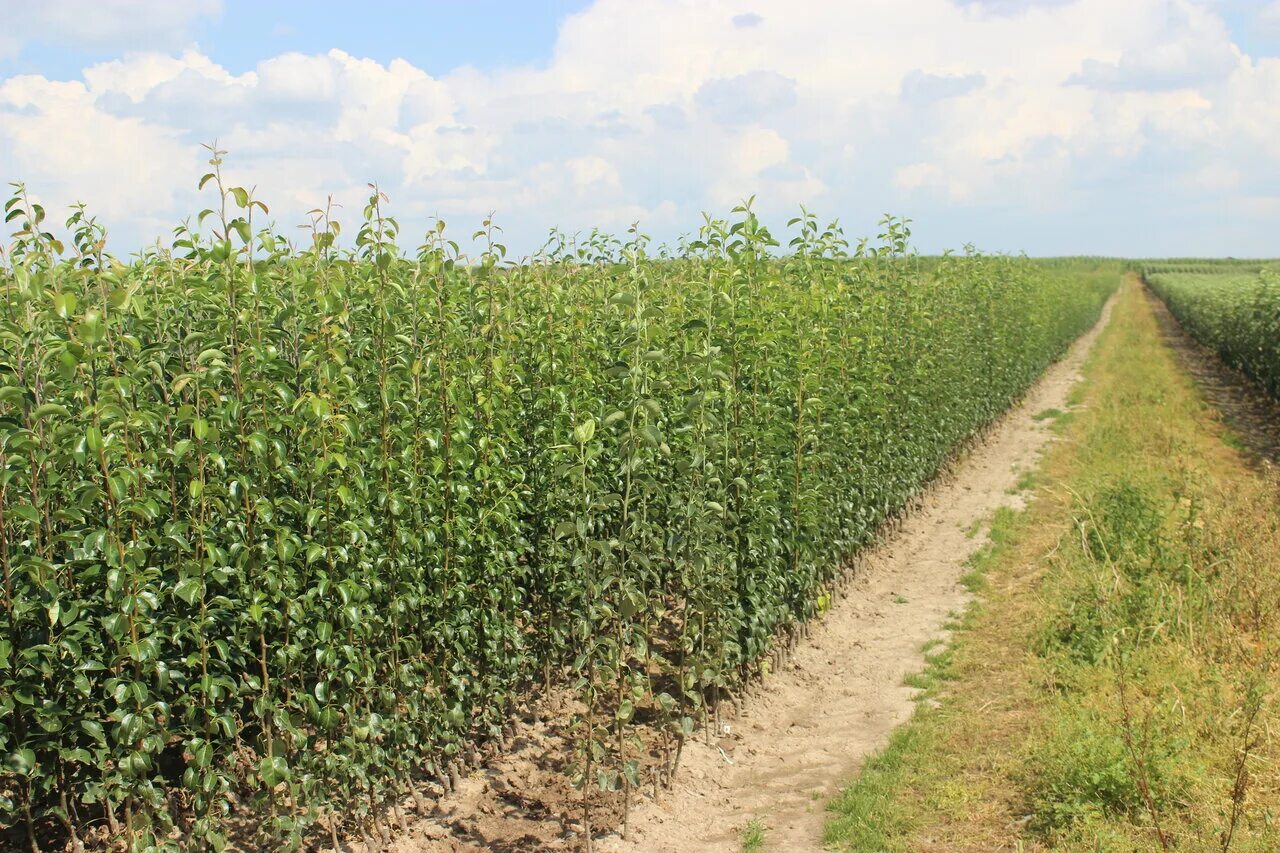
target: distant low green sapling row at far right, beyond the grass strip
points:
(1235, 313)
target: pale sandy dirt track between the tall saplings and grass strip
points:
(808, 729)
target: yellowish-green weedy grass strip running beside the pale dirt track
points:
(1121, 656)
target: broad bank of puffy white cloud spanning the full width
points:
(922, 107)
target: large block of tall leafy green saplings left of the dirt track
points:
(292, 528)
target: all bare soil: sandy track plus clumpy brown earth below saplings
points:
(807, 729)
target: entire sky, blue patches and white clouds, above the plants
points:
(1054, 127)
